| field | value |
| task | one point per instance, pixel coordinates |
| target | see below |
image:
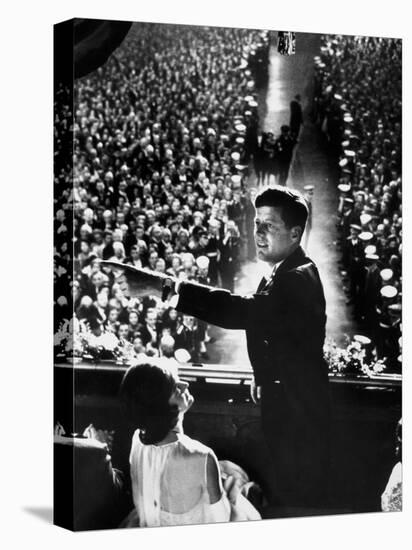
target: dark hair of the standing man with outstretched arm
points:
(294, 209)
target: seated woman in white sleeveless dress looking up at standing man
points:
(175, 479)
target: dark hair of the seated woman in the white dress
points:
(145, 391)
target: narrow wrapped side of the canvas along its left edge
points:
(63, 271)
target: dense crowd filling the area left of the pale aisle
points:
(163, 135)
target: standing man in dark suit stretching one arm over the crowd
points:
(284, 322)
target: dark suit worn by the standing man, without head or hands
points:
(285, 329)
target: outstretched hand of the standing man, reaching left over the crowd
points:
(134, 282)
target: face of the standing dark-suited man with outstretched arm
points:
(274, 241)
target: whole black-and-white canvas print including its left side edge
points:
(228, 274)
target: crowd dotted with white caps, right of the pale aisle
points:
(358, 106)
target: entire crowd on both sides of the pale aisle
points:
(164, 133)
